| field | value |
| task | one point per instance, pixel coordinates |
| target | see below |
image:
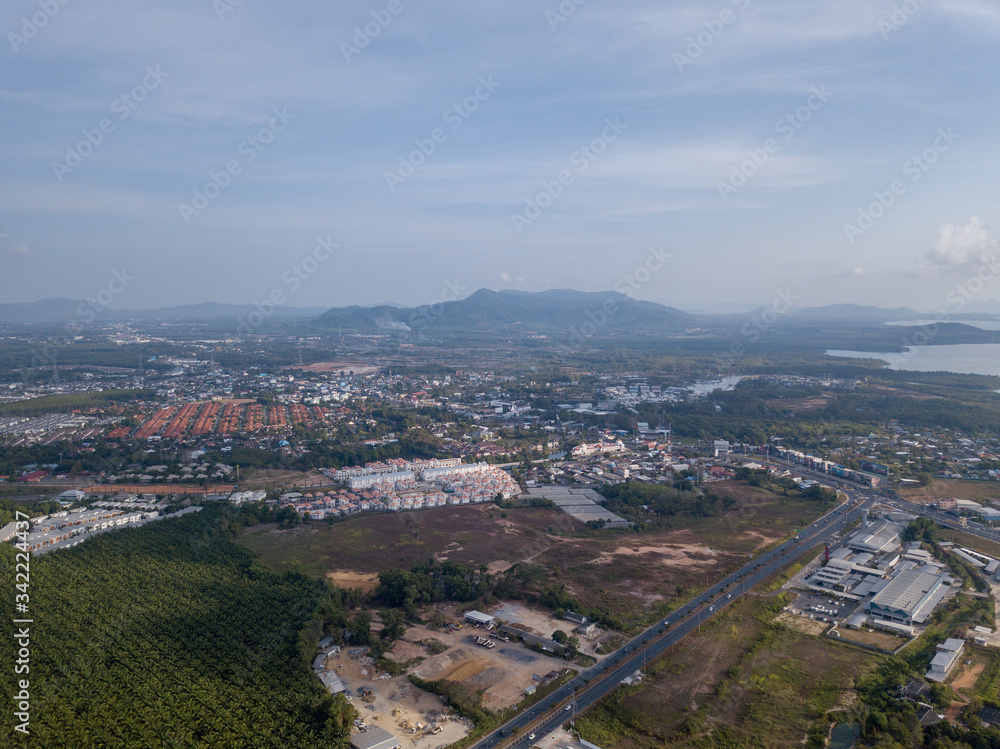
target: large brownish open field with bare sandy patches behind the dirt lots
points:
(619, 571)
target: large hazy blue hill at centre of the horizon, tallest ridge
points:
(509, 311)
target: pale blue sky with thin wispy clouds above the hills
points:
(705, 155)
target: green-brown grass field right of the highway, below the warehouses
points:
(743, 681)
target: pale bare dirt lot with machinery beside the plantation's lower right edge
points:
(398, 706)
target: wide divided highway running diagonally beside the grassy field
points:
(595, 683)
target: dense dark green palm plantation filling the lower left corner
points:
(173, 635)
